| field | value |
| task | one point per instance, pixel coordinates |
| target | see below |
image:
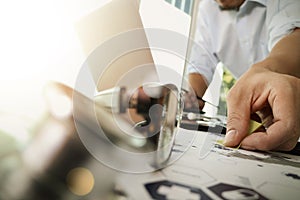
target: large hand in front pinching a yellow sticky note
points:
(256, 91)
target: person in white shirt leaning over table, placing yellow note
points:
(259, 42)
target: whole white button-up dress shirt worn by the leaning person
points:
(239, 38)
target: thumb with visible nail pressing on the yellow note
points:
(238, 105)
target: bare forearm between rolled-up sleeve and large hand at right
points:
(285, 55)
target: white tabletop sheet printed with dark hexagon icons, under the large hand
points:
(207, 170)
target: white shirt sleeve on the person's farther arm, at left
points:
(201, 59)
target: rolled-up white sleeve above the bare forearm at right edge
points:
(283, 16)
